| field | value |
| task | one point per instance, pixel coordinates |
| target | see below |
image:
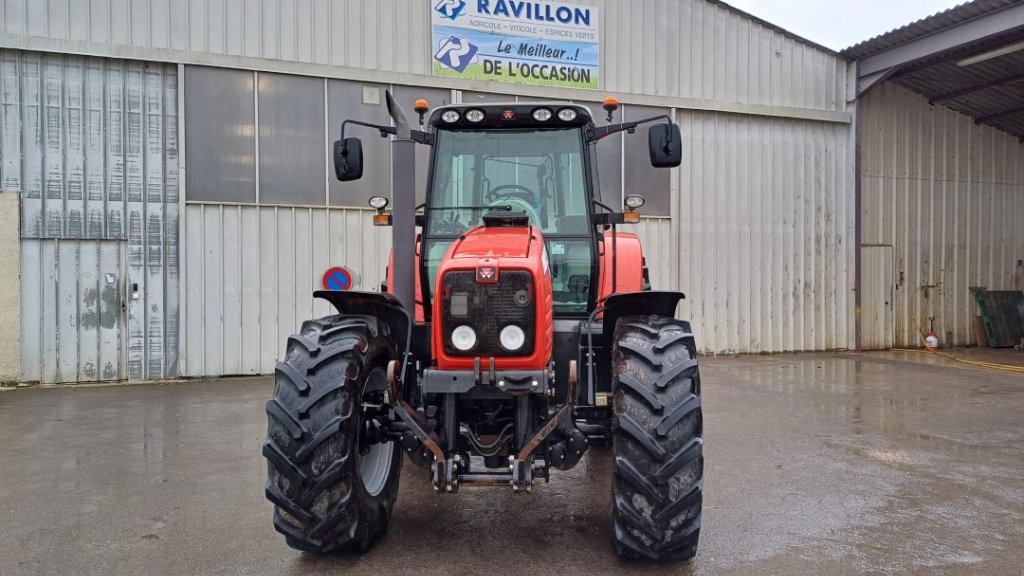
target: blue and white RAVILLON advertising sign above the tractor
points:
(517, 42)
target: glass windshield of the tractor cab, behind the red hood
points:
(539, 174)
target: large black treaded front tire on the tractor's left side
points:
(330, 496)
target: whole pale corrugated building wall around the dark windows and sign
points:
(761, 233)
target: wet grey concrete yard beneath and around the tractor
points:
(816, 465)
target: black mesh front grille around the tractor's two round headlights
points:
(491, 308)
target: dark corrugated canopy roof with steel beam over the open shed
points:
(970, 59)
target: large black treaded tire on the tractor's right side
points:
(658, 444)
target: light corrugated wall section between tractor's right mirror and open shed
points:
(765, 234)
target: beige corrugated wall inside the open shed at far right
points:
(949, 196)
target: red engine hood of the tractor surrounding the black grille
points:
(489, 253)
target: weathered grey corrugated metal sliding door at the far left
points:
(92, 146)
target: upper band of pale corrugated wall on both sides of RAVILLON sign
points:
(684, 49)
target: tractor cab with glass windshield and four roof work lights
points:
(515, 159)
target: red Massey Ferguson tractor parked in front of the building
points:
(515, 332)
